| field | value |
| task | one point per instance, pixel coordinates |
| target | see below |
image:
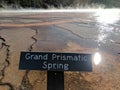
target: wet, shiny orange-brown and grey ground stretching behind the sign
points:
(82, 32)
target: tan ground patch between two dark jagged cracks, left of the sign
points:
(18, 40)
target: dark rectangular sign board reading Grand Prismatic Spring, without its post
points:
(52, 61)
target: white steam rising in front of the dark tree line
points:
(5, 6)
